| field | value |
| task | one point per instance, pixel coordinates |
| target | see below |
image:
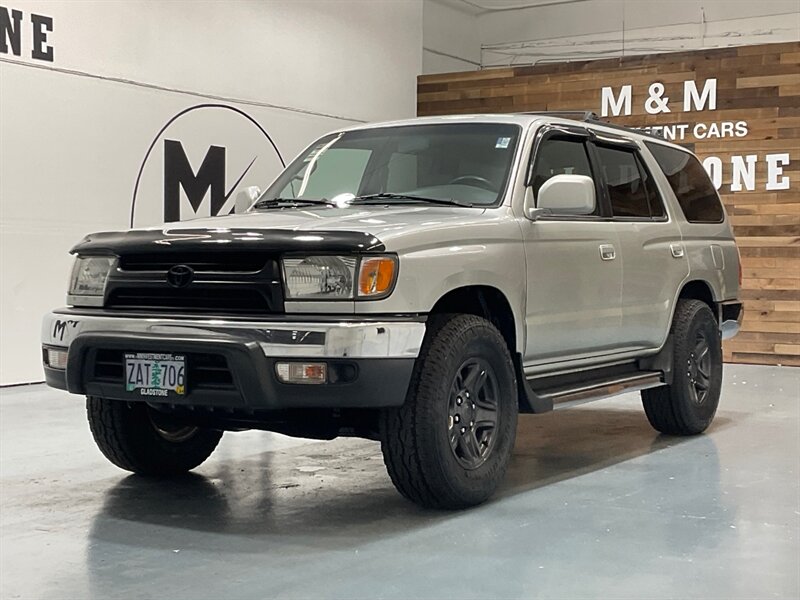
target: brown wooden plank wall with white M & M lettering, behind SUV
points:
(756, 84)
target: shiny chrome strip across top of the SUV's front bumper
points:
(337, 338)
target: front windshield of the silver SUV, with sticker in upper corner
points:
(463, 162)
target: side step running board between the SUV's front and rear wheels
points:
(578, 388)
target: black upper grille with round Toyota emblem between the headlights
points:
(224, 282)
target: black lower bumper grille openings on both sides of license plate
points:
(203, 371)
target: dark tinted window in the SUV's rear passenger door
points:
(624, 181)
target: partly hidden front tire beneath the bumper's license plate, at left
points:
(138, 438)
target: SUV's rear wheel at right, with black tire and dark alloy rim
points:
(688, 405)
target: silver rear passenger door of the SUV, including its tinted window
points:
(653, 257)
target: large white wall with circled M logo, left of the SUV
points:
(74, 131)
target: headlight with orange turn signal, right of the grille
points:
(339, 277)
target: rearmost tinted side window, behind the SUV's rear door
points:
(688, 179)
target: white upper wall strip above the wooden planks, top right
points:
(524, 32)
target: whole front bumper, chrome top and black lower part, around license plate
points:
(231, 362)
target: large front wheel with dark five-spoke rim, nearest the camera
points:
(449, 445)
